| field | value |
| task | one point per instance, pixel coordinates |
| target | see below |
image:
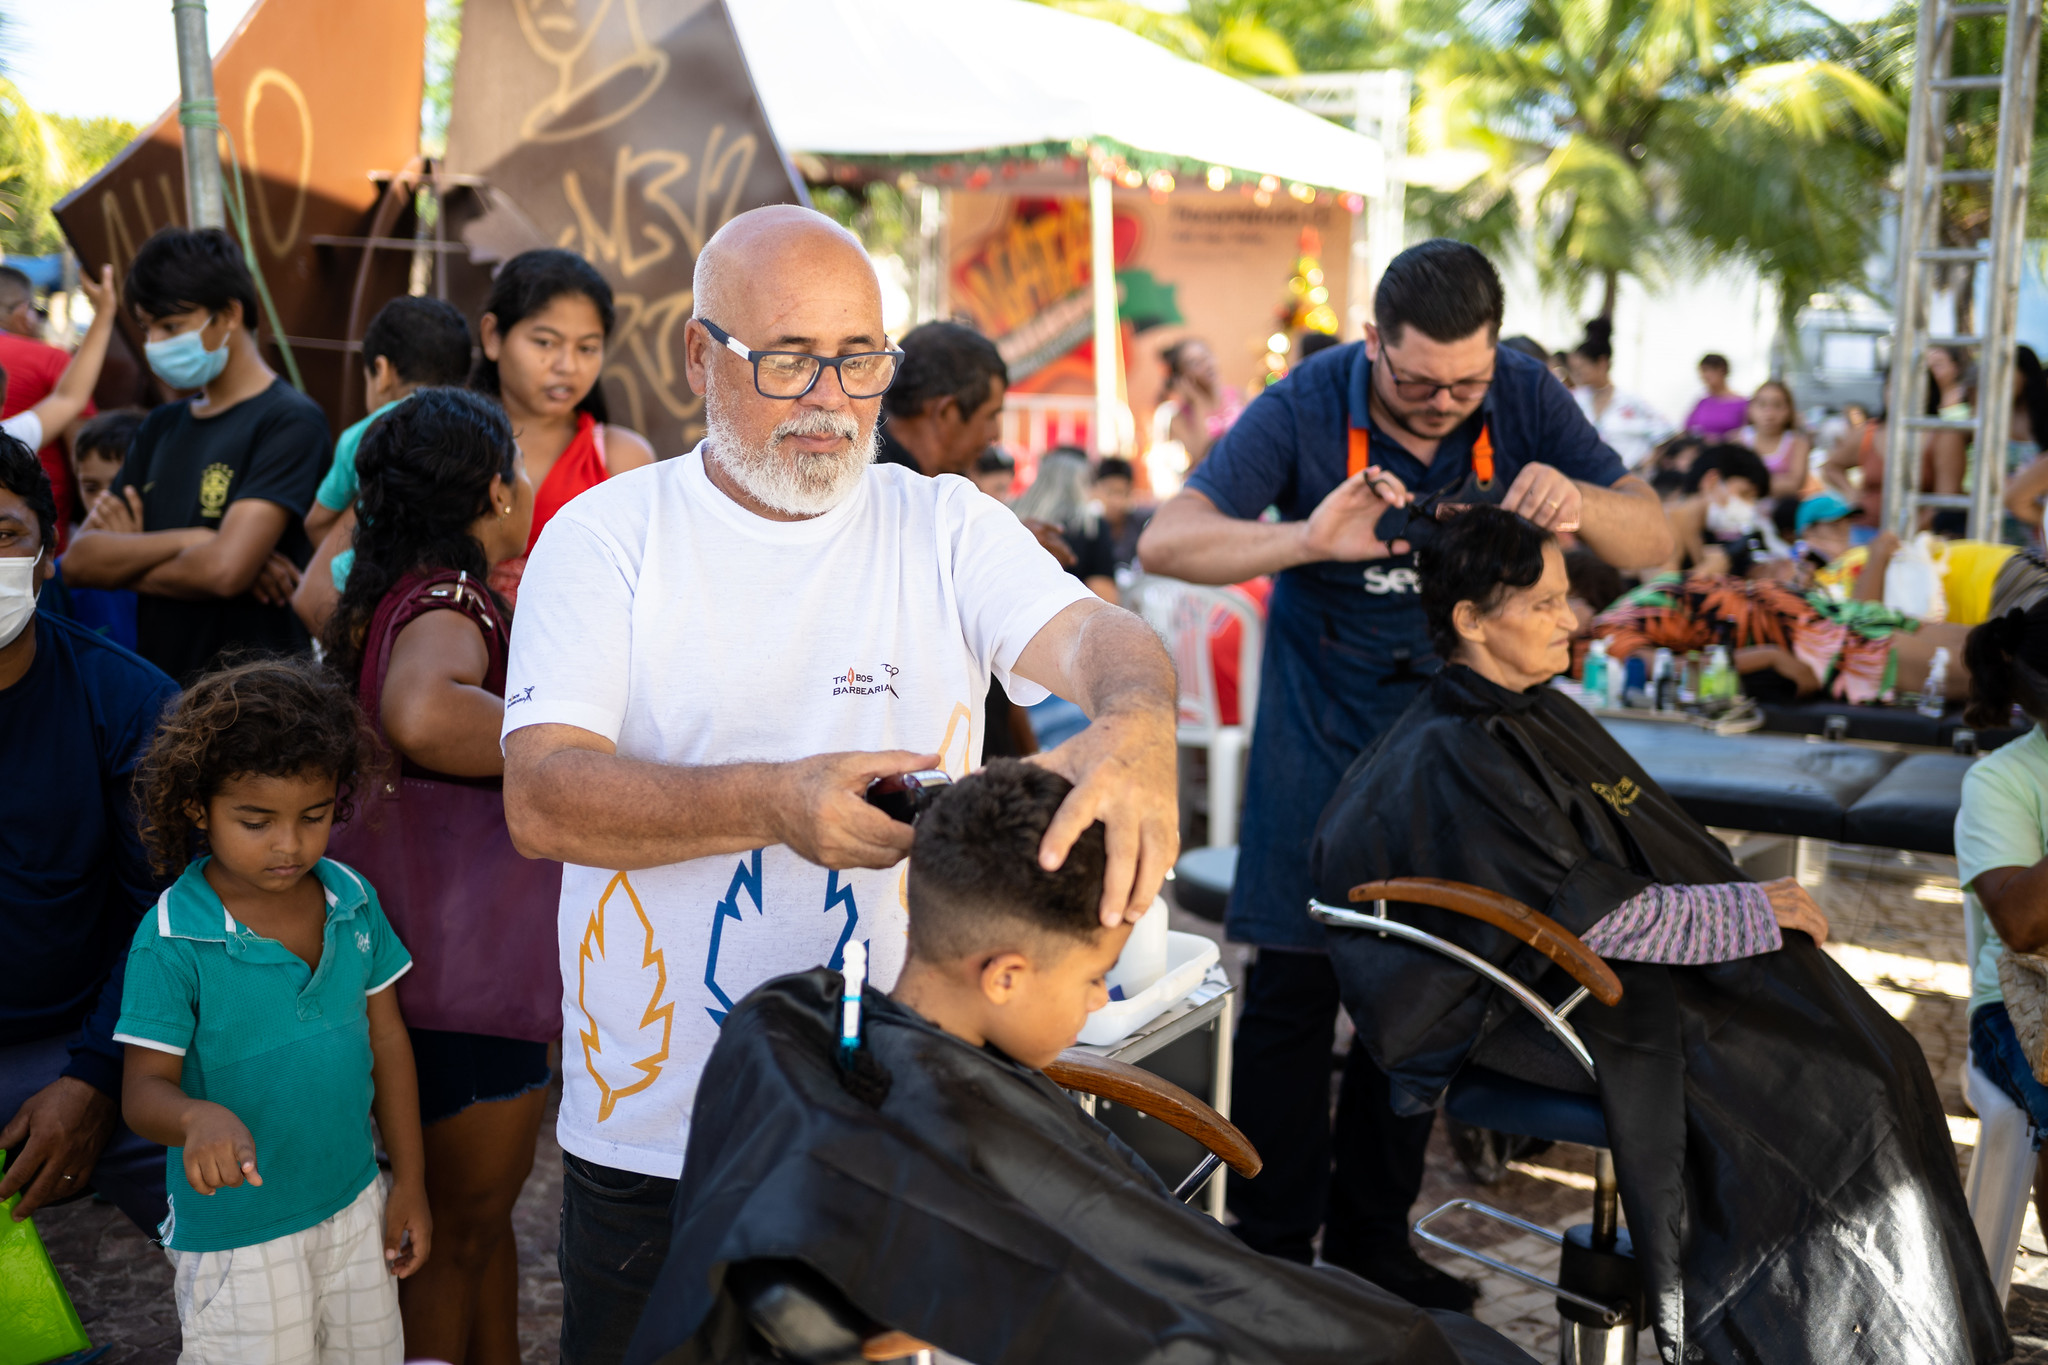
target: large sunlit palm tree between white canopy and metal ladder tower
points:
(1654, 132)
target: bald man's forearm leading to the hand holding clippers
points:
(605, 811)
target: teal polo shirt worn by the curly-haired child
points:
(284, 1047)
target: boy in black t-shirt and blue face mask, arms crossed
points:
(208, 519)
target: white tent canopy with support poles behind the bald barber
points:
(982, 79)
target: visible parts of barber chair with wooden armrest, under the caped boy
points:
(808, 1321)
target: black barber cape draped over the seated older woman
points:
(1787, 1176)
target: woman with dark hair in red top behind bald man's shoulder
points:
(544, 337)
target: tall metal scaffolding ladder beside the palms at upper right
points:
(1920, 249)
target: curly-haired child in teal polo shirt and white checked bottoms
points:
(263, 1034)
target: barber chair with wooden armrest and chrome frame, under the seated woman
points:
(1531, 1077)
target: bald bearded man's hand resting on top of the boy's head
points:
(1123, 773)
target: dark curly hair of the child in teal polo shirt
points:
(271, 719)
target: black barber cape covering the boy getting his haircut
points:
(980, 1210)
